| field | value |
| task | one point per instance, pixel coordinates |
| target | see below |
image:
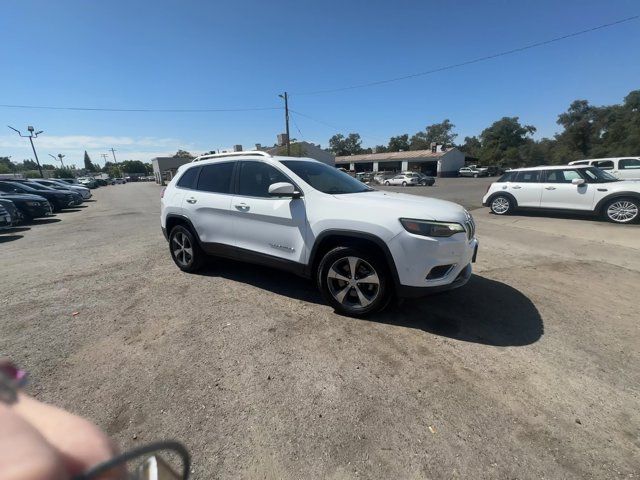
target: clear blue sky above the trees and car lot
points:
(190, 54)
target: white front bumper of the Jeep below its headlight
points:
(415, 256)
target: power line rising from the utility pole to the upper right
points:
(469, 62)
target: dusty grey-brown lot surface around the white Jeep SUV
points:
(530, 371)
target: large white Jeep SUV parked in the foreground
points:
(360, 245)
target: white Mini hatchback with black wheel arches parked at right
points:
(573, 188)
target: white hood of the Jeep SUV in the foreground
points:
(405, 205)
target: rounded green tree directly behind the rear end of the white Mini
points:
(502, 140)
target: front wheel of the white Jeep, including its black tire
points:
(345, 293)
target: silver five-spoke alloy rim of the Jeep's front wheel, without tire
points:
(353, 282)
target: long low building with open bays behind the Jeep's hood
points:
(438, 161)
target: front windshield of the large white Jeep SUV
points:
(325, 178)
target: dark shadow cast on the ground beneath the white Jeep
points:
(484, 311)
